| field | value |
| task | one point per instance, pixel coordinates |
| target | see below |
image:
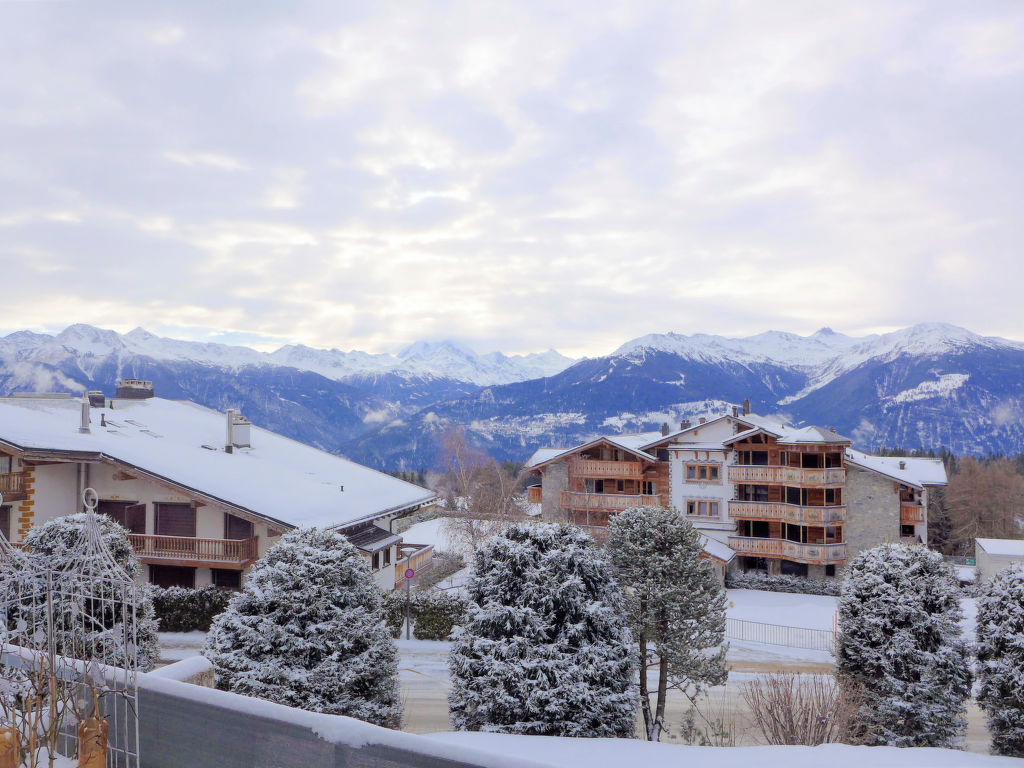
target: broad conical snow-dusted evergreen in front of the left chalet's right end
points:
(308, 631)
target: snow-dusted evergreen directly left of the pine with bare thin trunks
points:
(545, 649)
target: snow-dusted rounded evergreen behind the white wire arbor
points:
(52, 546)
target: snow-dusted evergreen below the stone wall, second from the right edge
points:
(901, 655)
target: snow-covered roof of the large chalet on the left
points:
(278, 479)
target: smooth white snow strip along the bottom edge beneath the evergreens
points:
(610, 753)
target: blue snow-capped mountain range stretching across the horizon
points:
(930, 386)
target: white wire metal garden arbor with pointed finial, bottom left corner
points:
(69, 646)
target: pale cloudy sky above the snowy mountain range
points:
(515, 177)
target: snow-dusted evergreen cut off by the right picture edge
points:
(1001, 659)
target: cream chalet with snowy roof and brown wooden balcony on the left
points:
(203, 494)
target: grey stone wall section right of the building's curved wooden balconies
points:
(873, 511)
